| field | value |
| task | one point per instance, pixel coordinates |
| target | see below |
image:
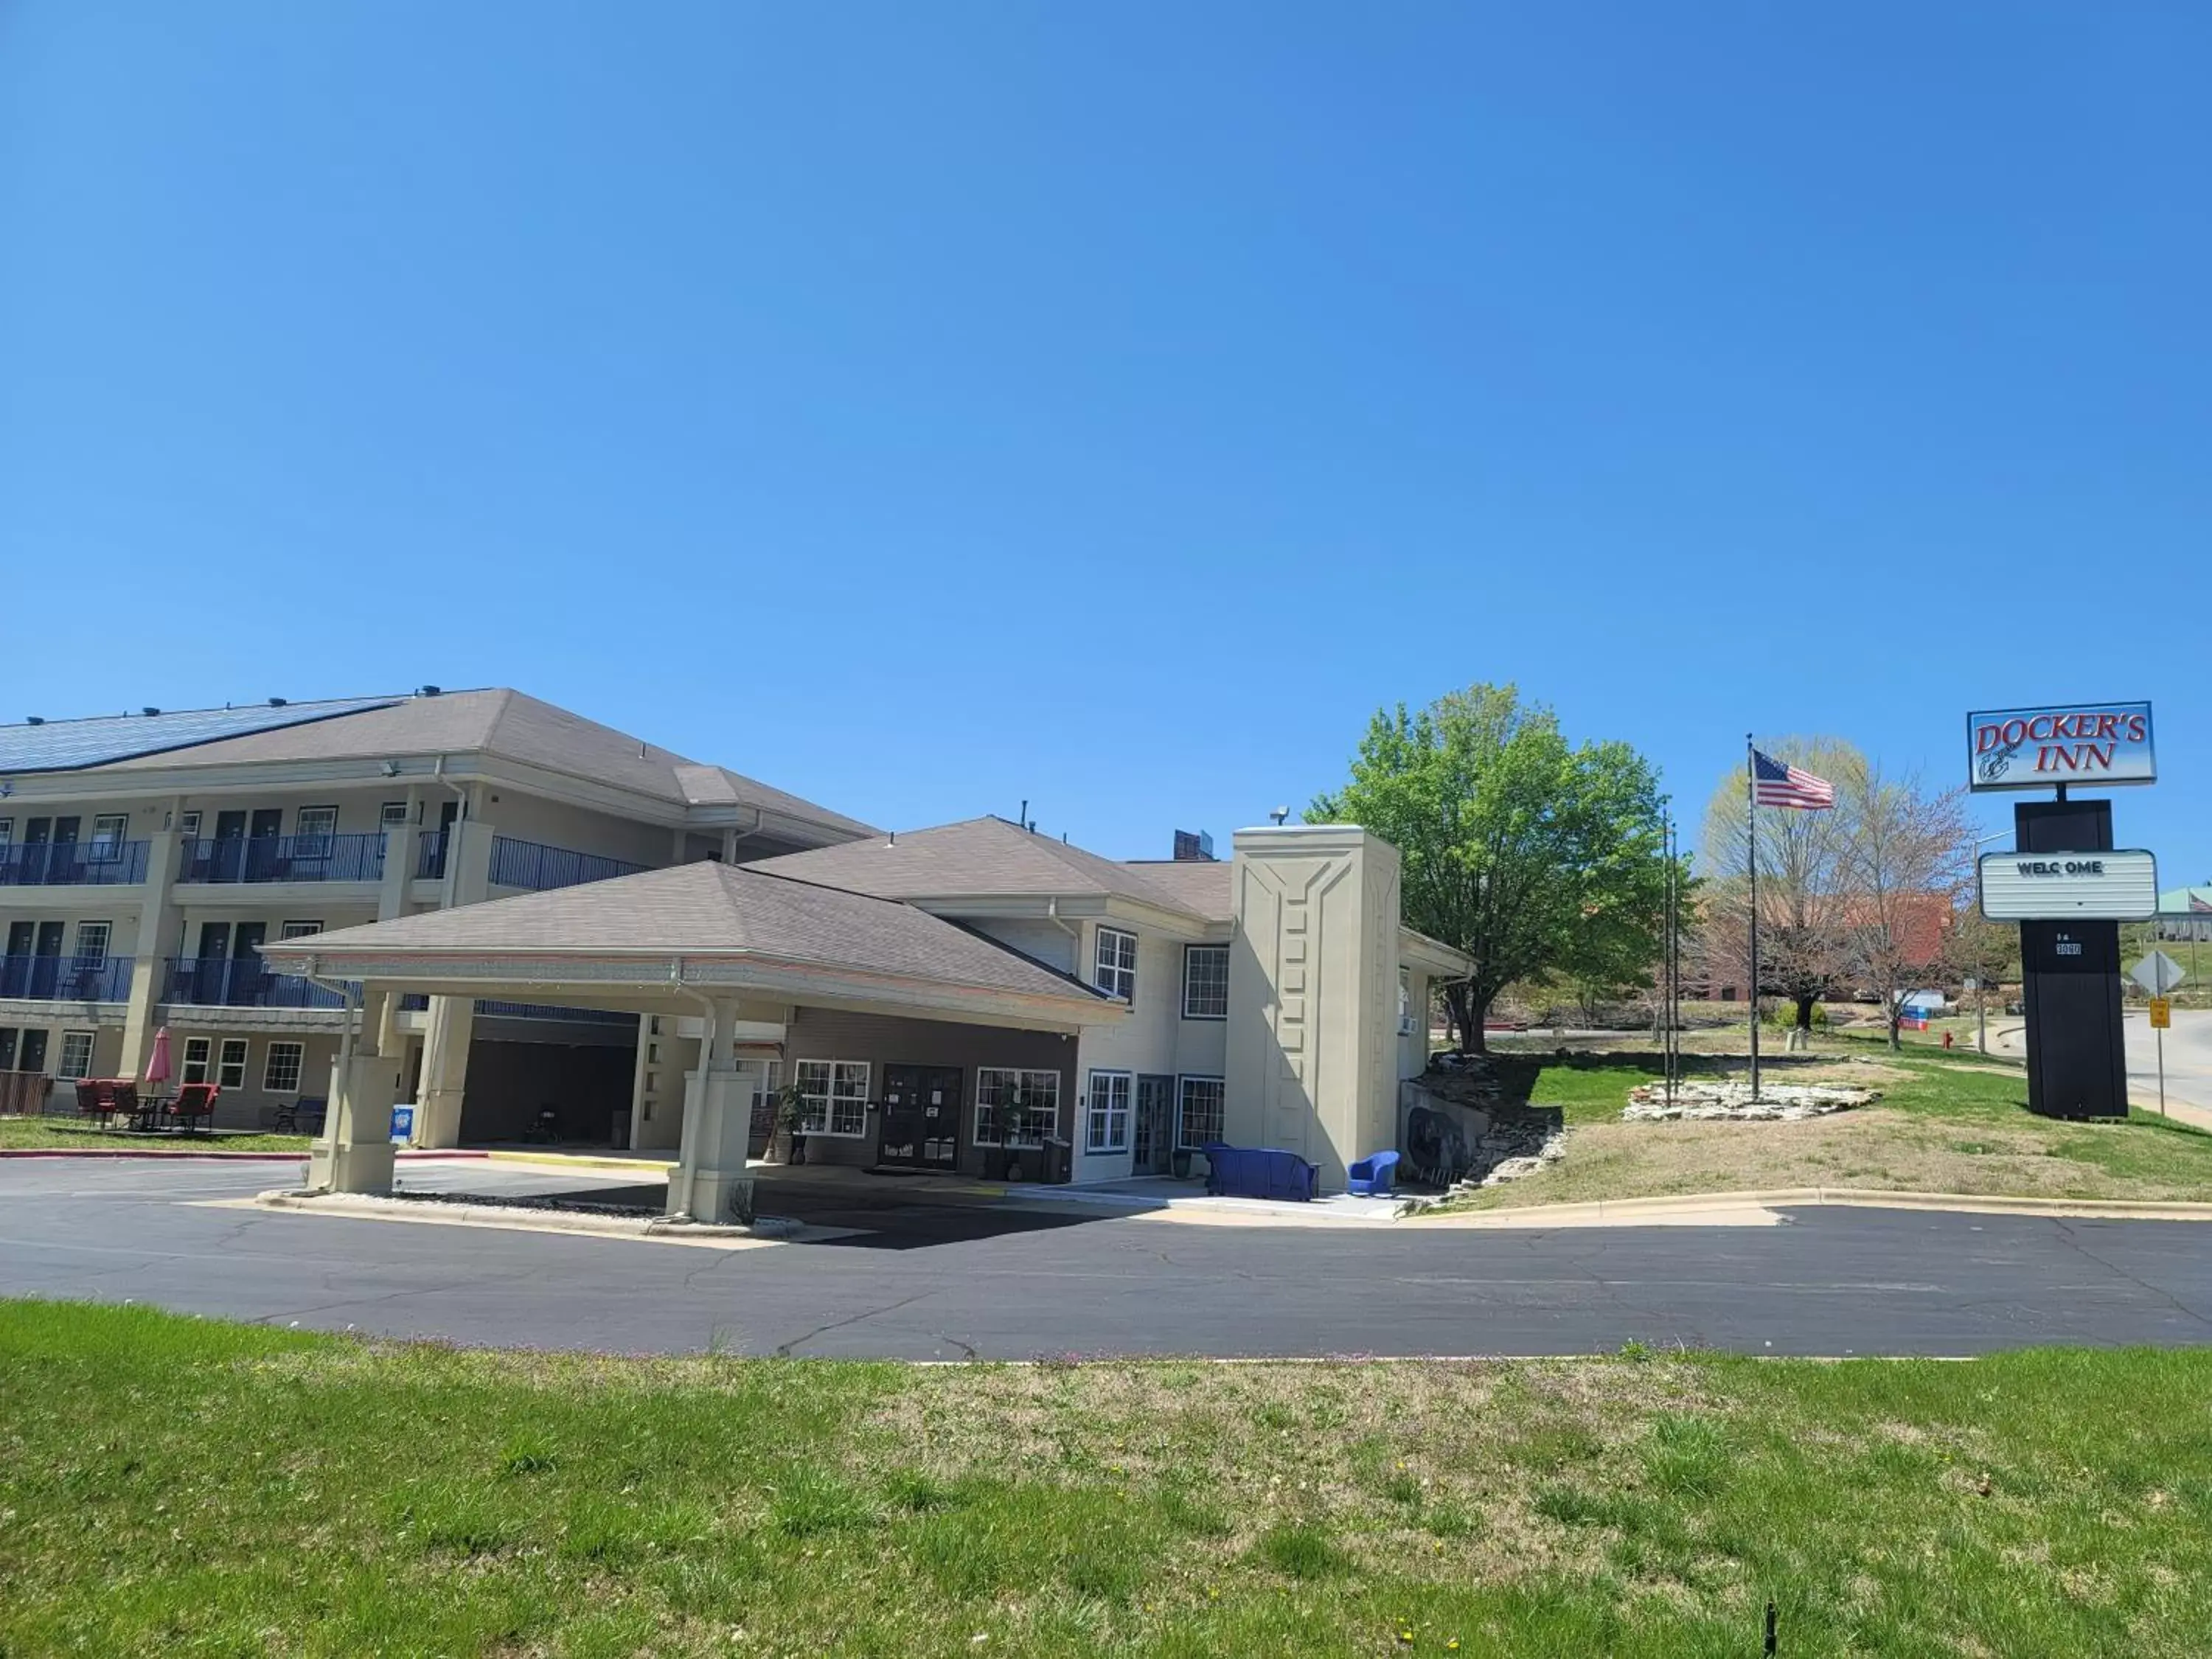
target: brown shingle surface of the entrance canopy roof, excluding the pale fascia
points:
(711, 910)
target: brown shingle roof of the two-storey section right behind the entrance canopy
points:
(979, 857)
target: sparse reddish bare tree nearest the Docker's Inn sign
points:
(1910, 862)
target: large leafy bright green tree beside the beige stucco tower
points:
(1538, 859)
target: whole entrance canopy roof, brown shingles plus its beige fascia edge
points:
(707, 930)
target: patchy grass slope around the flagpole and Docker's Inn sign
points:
(1954, 1125)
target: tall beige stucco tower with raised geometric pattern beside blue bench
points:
(1313, 1034)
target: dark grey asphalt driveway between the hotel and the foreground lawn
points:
(952, 1282)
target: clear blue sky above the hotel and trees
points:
(928, 408)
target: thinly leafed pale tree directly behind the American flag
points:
(1804, 886)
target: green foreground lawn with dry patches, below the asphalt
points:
(189, 1488)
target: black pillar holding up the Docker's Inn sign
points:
(2078, 1061)
